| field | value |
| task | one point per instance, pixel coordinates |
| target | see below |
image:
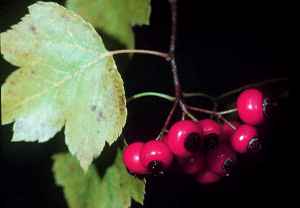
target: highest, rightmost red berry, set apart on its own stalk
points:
(251, 106)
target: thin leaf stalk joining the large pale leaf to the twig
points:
(138, 51)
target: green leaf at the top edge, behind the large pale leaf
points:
(114, 17)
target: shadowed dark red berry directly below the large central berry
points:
(193, 164)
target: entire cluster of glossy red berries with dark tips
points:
(205, 149)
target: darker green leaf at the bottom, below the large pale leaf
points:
(115, 188)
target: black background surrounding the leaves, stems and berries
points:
(220, 47)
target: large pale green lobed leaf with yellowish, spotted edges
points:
(66, 78)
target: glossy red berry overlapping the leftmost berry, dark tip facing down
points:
(156, 156)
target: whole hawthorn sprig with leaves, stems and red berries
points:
(67, 80)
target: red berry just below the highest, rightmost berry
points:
(245, 139)
